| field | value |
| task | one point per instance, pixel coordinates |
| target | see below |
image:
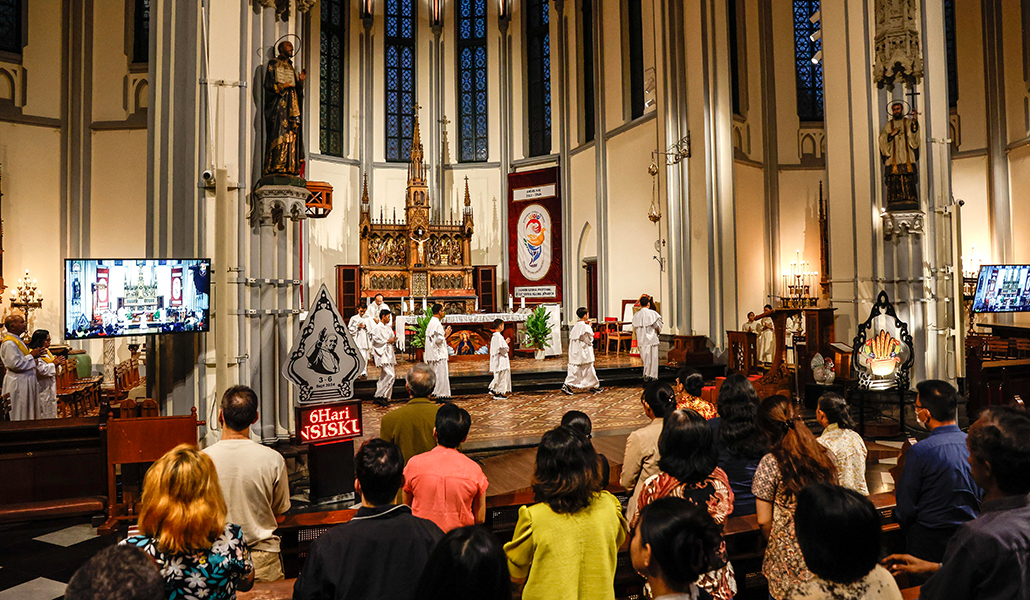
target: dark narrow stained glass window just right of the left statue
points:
(331, 78)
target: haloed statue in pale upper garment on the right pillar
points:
(900, 149)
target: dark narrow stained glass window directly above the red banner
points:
(538, 43)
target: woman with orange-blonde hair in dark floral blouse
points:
(183, 526)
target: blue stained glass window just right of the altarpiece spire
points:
(472, 120)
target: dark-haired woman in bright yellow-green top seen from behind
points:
(565, 547)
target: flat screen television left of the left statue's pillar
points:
(136, 297)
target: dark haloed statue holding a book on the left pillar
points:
(284, 139)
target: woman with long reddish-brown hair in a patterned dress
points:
(795, 462)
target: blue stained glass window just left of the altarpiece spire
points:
(400, 20)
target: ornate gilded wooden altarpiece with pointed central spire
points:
(421, 256)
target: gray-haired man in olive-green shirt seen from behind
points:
(411, 426)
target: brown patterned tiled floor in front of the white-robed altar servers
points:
(526, 416)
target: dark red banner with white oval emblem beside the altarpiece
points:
(535, 235)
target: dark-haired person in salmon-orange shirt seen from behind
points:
(443, 485)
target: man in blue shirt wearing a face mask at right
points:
(937, 492)
